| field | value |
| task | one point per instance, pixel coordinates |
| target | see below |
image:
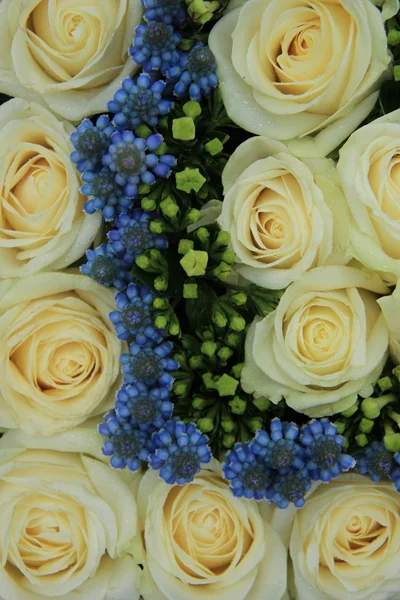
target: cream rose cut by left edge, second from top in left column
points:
(42, 223)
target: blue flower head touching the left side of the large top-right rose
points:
(195, 73)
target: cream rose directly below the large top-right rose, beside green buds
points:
(278, 214)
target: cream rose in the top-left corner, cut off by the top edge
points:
(69, 54)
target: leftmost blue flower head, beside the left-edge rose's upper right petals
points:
(91, 142)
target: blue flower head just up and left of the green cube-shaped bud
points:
(140, 102)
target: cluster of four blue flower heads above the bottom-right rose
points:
(279, 465)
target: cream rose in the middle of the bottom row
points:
(203, 543)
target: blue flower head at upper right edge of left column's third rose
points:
(133, 318)
